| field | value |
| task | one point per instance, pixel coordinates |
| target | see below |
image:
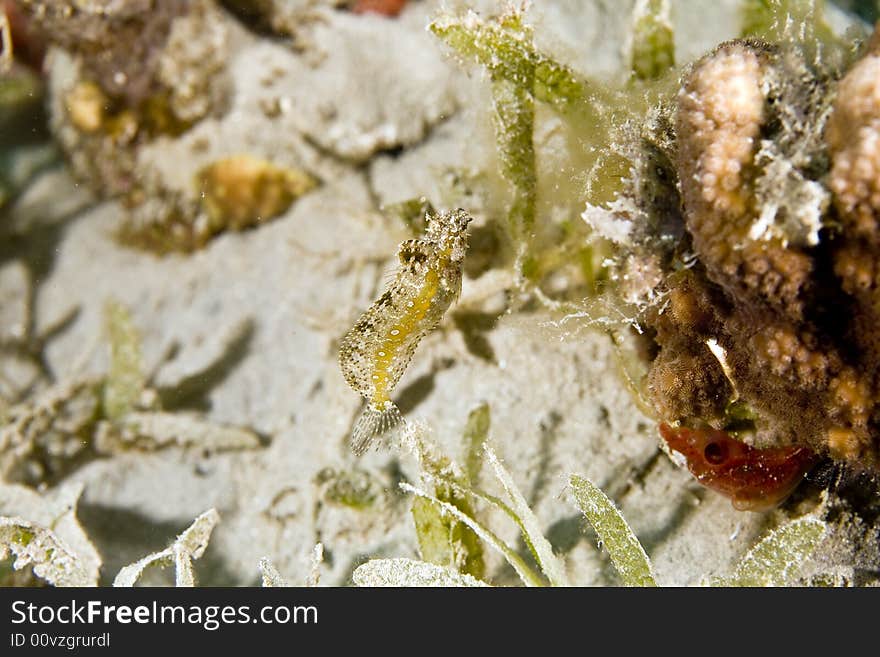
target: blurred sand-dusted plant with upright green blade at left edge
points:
(55, 430)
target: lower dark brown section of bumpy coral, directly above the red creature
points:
(720, 364)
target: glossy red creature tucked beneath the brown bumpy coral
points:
(754, 479)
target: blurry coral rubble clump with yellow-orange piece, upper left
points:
(138, 75)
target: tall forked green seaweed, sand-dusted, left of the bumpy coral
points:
(520, 76)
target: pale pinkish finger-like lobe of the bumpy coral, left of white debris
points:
(721, 112)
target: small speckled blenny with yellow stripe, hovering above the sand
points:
(375, 353)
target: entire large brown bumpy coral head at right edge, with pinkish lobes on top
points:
(767, 330)
